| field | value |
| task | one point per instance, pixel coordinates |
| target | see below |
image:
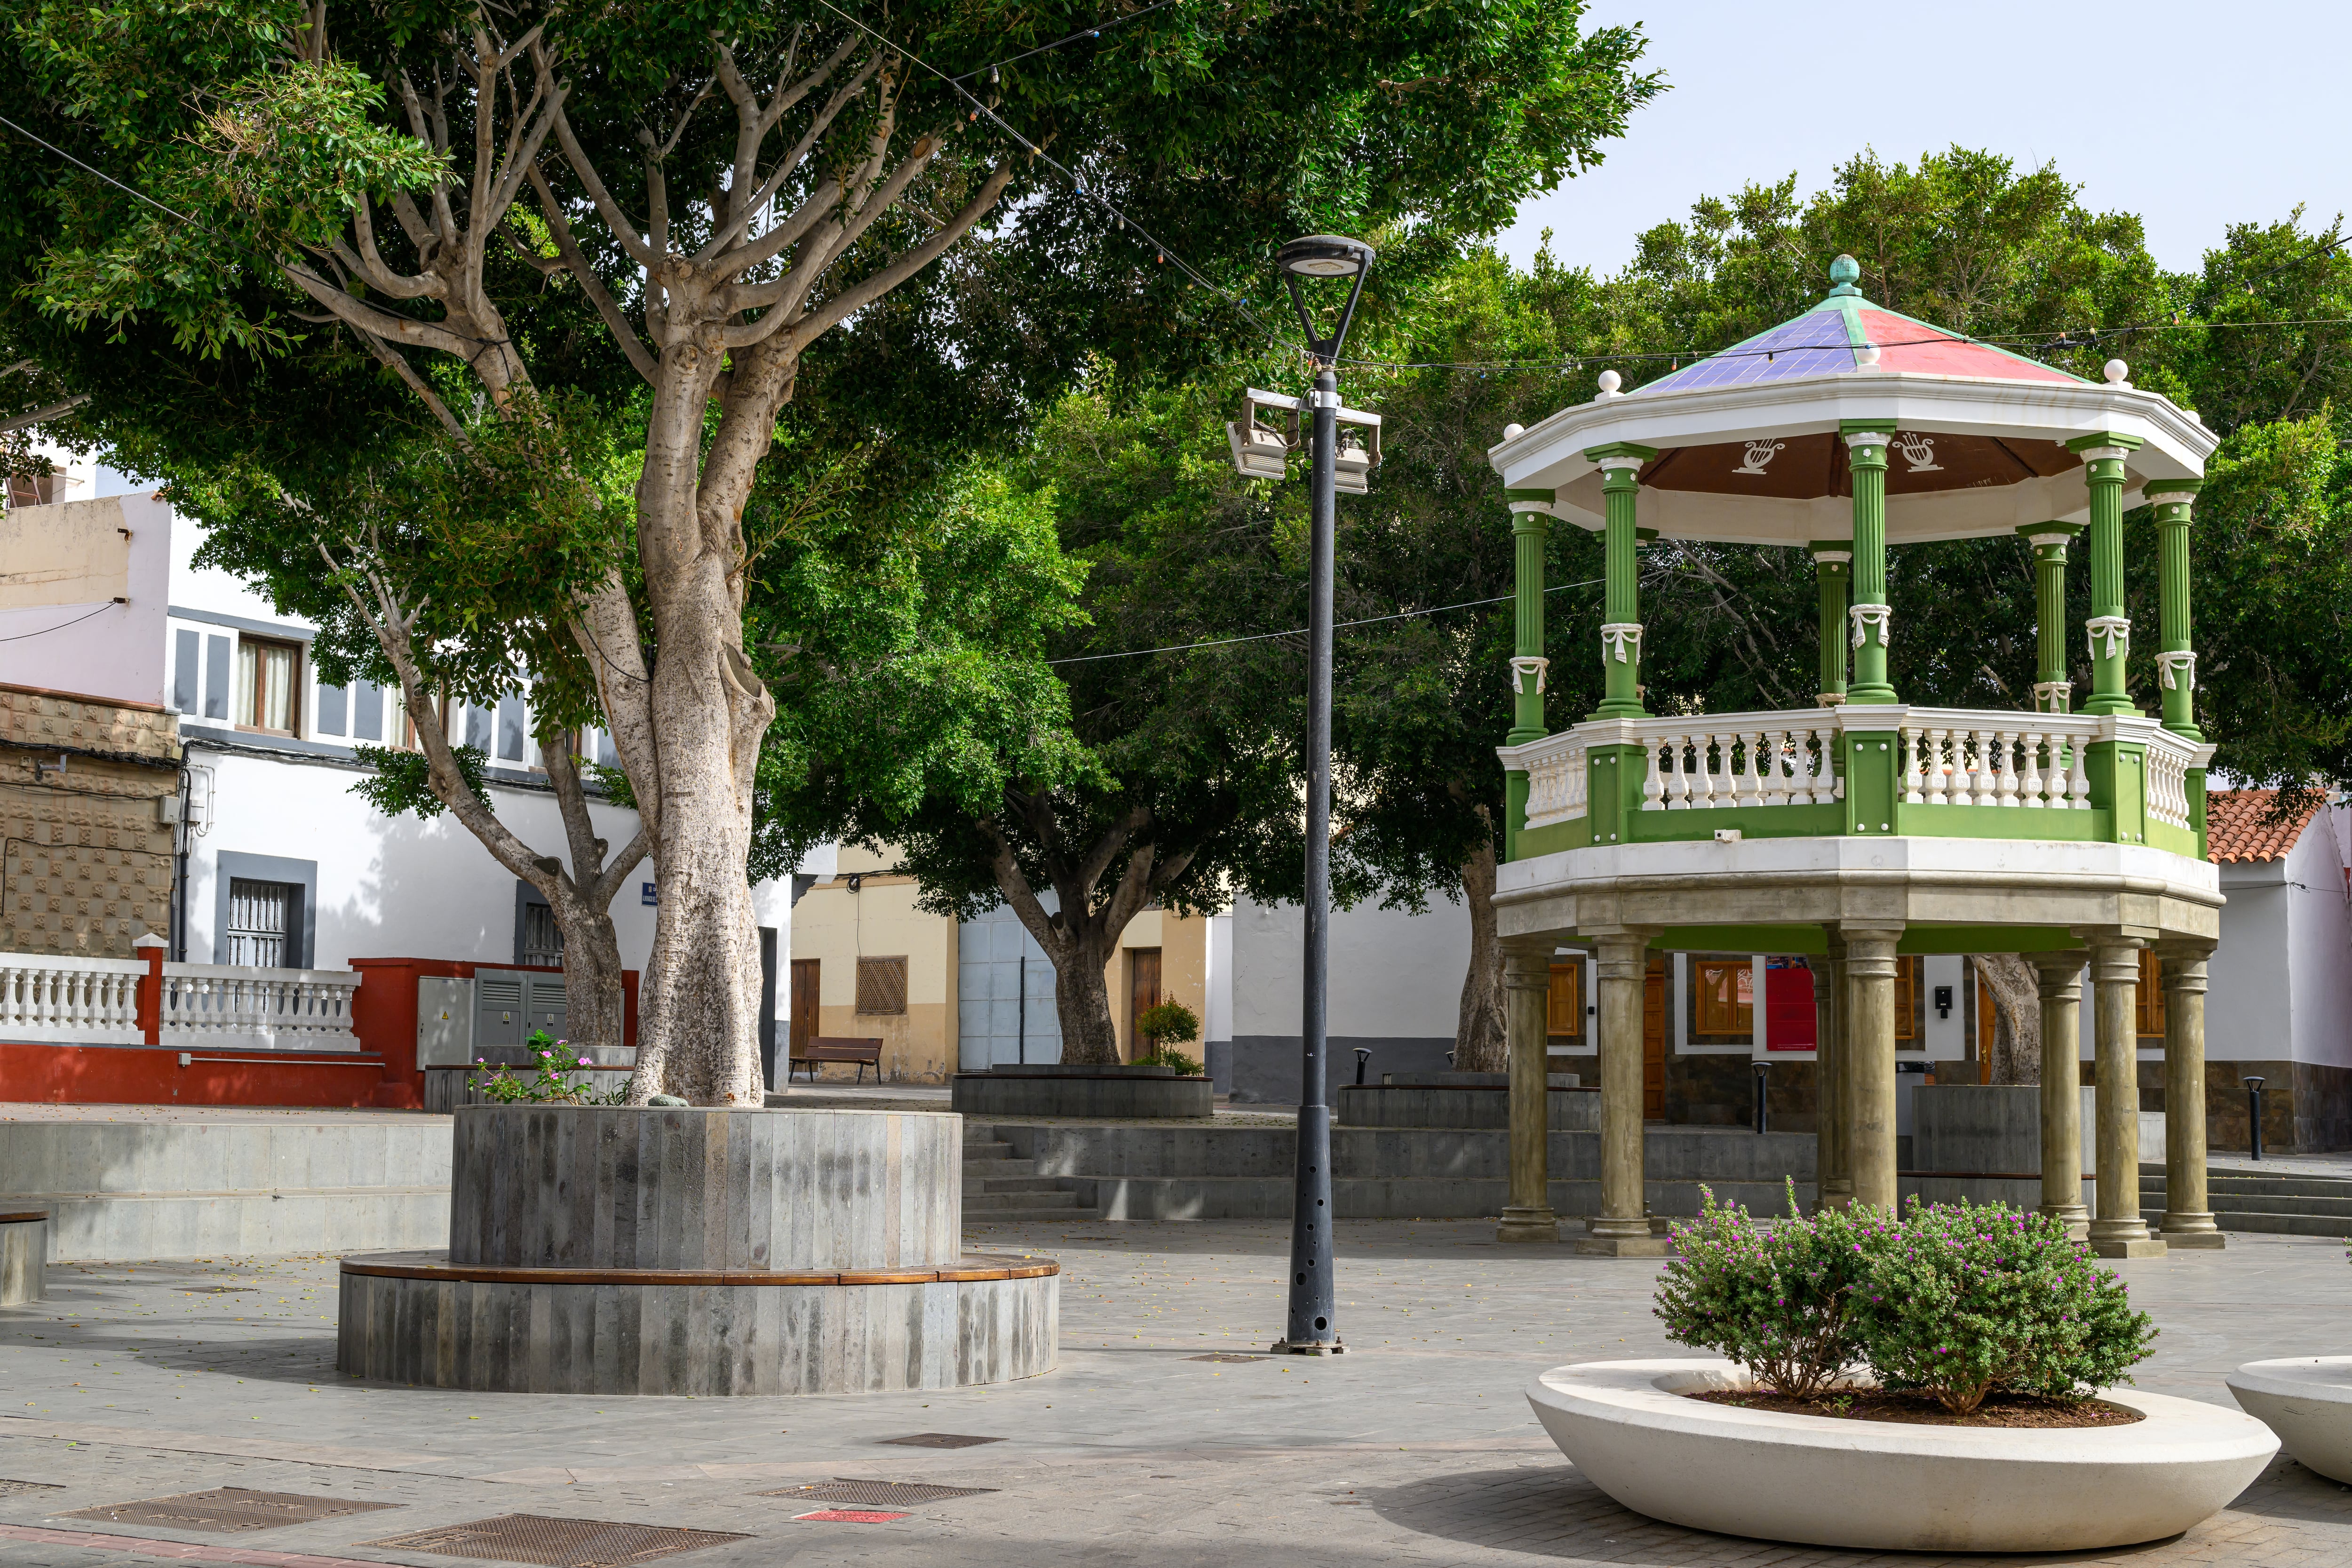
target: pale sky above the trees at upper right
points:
(2193, 116)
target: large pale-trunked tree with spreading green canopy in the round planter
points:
(723, 185)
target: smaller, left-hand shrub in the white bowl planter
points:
(1777, 1299)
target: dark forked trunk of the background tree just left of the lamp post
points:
(1083, 934)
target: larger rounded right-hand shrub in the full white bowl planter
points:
(1967, 1301)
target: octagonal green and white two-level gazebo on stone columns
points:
(1866, 829)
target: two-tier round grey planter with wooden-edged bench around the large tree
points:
(700, 1252)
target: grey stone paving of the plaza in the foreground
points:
(156, 1381)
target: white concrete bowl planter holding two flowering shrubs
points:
(1892, 1487)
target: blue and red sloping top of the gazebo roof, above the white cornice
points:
(1838, 335)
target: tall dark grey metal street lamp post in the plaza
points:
(1314, 1315)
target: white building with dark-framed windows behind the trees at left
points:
(279, 862)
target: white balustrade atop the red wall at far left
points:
(95, 1003)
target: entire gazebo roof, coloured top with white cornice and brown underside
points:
(1749, 443)
